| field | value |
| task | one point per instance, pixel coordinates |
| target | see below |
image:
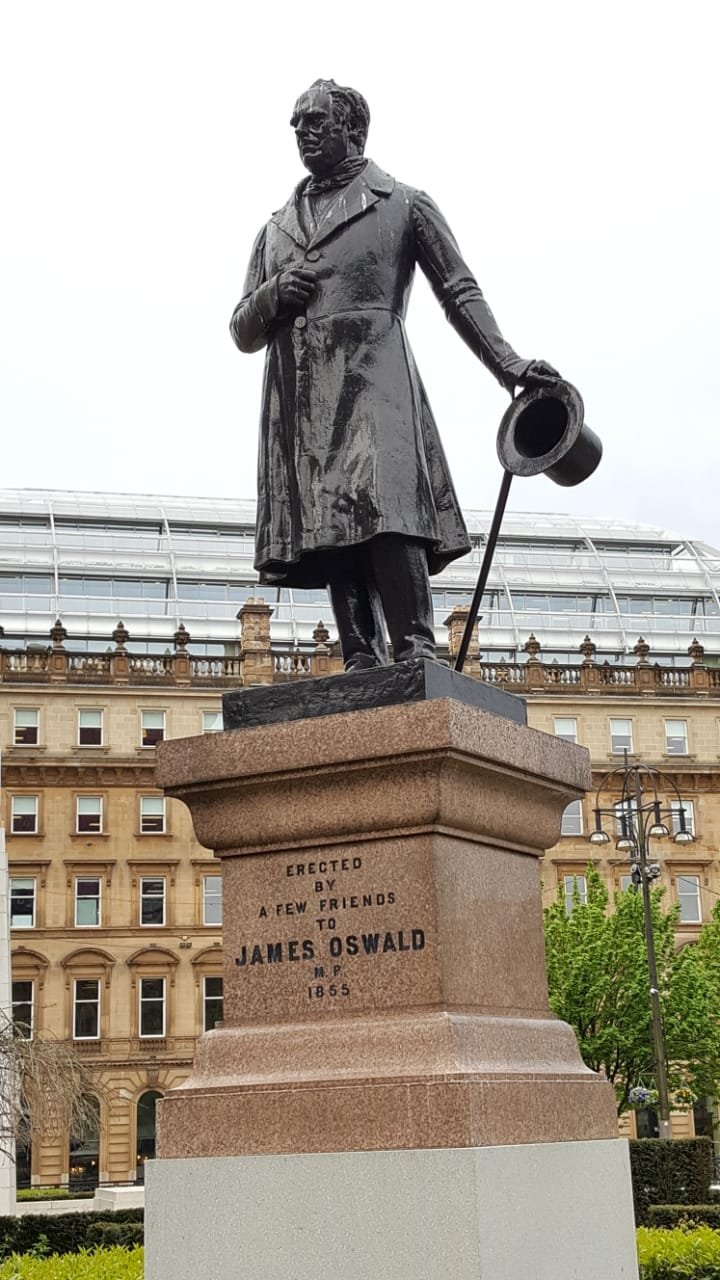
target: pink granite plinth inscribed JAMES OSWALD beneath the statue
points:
(385, 980)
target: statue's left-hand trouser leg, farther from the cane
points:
(358, 614)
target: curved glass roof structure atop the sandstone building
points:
(95, 559)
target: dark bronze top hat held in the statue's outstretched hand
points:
(544, 432)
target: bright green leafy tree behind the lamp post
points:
(599, 984)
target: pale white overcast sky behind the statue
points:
(573, 149)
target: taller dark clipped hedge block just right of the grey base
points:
(678, 1172)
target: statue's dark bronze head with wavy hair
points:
(331, 124)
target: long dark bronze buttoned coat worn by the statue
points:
(349, 446)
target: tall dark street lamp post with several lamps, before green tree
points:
(641, 817)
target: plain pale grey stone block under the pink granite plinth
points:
(549, 1212)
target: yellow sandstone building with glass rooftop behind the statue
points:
(612, 633)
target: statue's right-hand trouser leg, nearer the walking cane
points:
(400, 569)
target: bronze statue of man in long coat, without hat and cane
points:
(354, 488)
